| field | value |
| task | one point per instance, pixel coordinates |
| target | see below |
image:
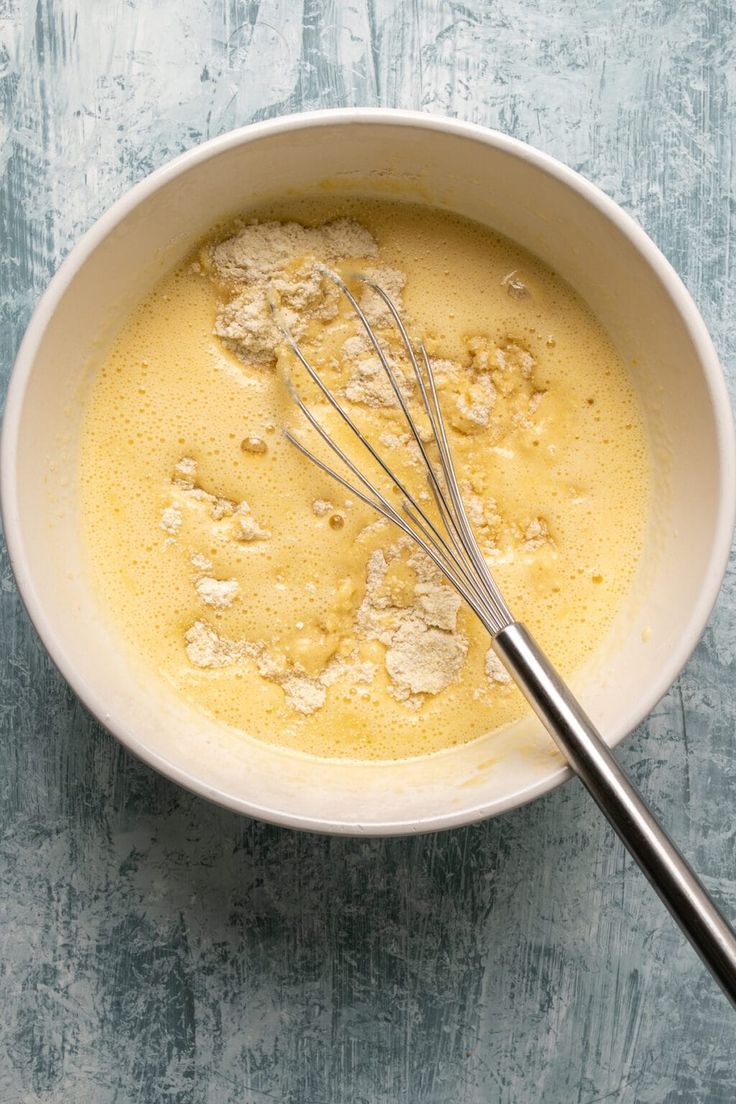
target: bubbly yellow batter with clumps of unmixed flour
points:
(255, 585)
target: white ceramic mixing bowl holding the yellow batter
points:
(483, 175)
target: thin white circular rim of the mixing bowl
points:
(589, 194)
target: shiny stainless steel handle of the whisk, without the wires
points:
(592, 760)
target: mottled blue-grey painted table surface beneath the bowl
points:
(157, 949)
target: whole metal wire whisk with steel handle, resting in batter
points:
(450, 543)
